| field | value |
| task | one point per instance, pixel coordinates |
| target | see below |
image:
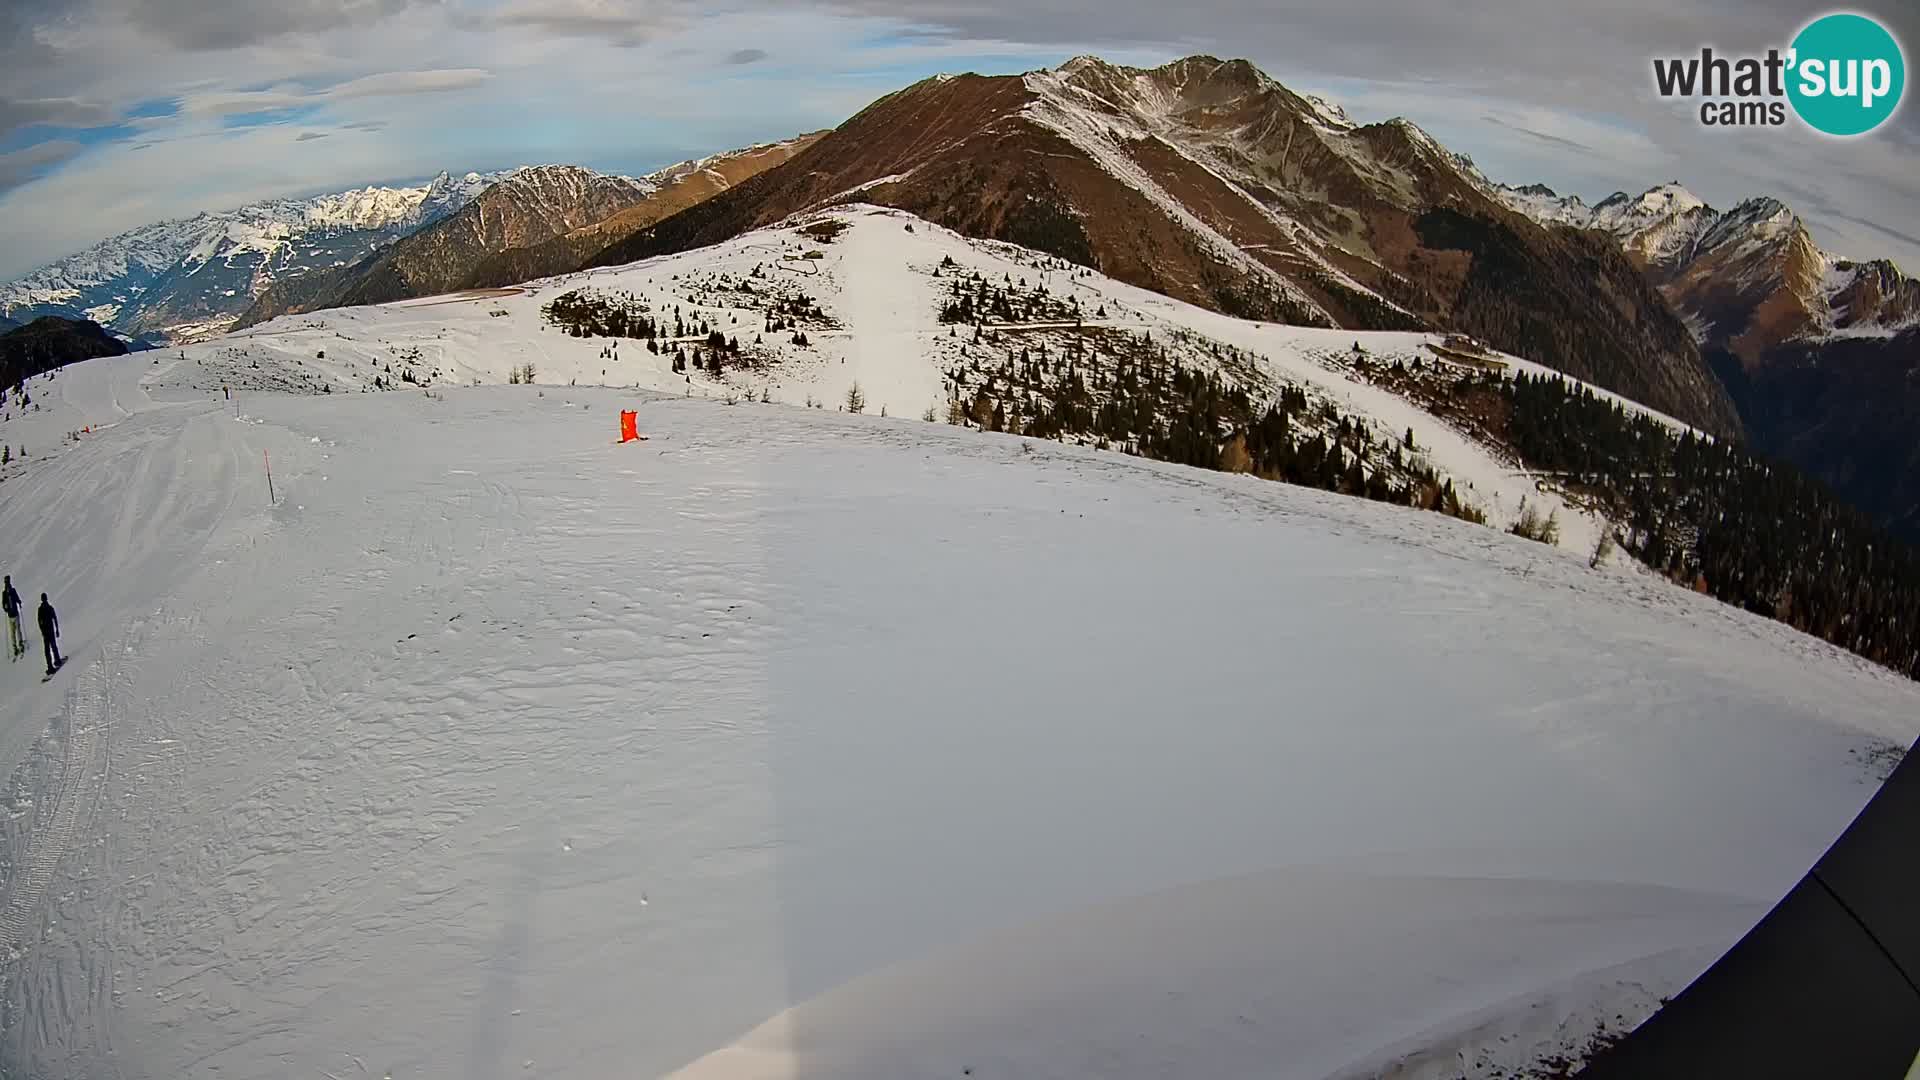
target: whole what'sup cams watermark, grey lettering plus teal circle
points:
(1844, 74)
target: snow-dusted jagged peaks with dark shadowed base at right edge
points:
(1819, 353)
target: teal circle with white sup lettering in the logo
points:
(1846, 76)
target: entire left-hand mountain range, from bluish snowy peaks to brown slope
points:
(204, 276)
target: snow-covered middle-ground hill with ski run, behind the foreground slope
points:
(882, 283)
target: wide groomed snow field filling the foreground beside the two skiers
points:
(798, 745)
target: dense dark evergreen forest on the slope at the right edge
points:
(1744, 529)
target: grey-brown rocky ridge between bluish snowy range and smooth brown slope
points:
(519, 210)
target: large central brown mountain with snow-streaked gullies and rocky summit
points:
(1212, 184)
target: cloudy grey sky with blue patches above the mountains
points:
(122, 112)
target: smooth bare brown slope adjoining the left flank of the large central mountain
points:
(684, 187)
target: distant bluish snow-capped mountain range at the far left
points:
(193, 278)
